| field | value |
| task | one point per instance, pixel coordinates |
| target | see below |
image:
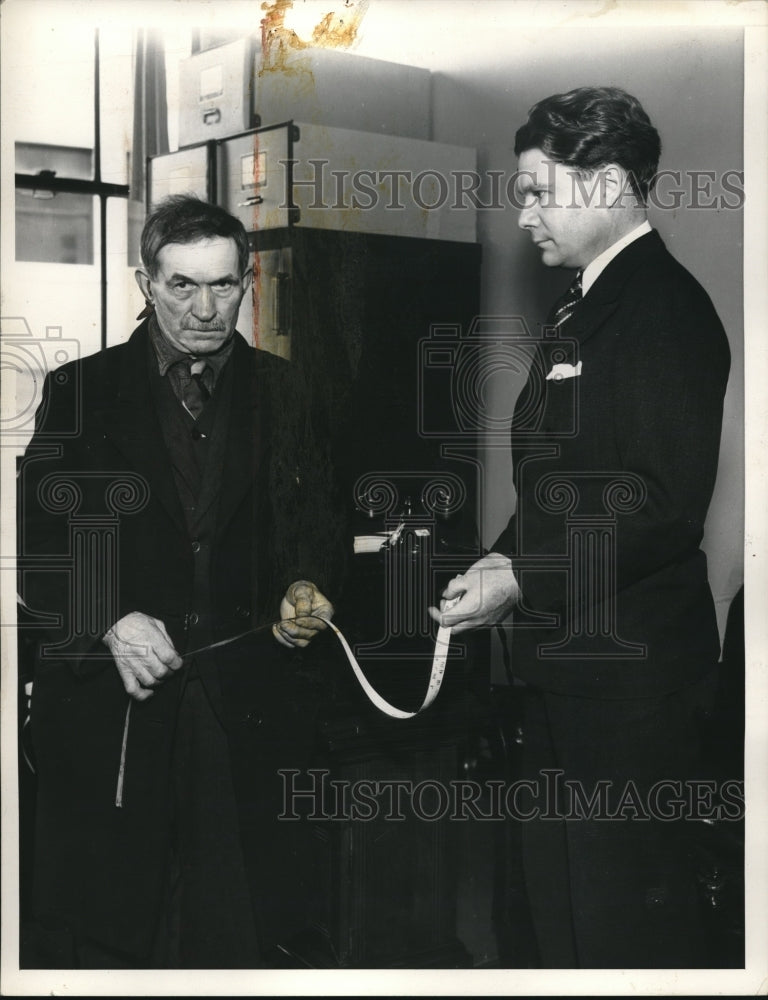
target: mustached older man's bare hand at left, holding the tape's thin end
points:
(143, 653)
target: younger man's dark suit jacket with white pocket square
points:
(630, 447)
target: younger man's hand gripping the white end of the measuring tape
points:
(484, 595)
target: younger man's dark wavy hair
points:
(591, 126)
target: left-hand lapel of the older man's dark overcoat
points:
(132, 424)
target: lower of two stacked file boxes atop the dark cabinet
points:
(318, 177)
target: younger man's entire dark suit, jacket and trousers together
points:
(614, 471)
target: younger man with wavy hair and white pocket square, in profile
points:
(615, 445)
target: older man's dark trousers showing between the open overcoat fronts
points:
(208, 920)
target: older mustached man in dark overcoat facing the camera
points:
(156, 756)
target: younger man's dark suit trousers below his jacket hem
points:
(614, 892)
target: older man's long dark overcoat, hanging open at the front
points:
(97, 469)
